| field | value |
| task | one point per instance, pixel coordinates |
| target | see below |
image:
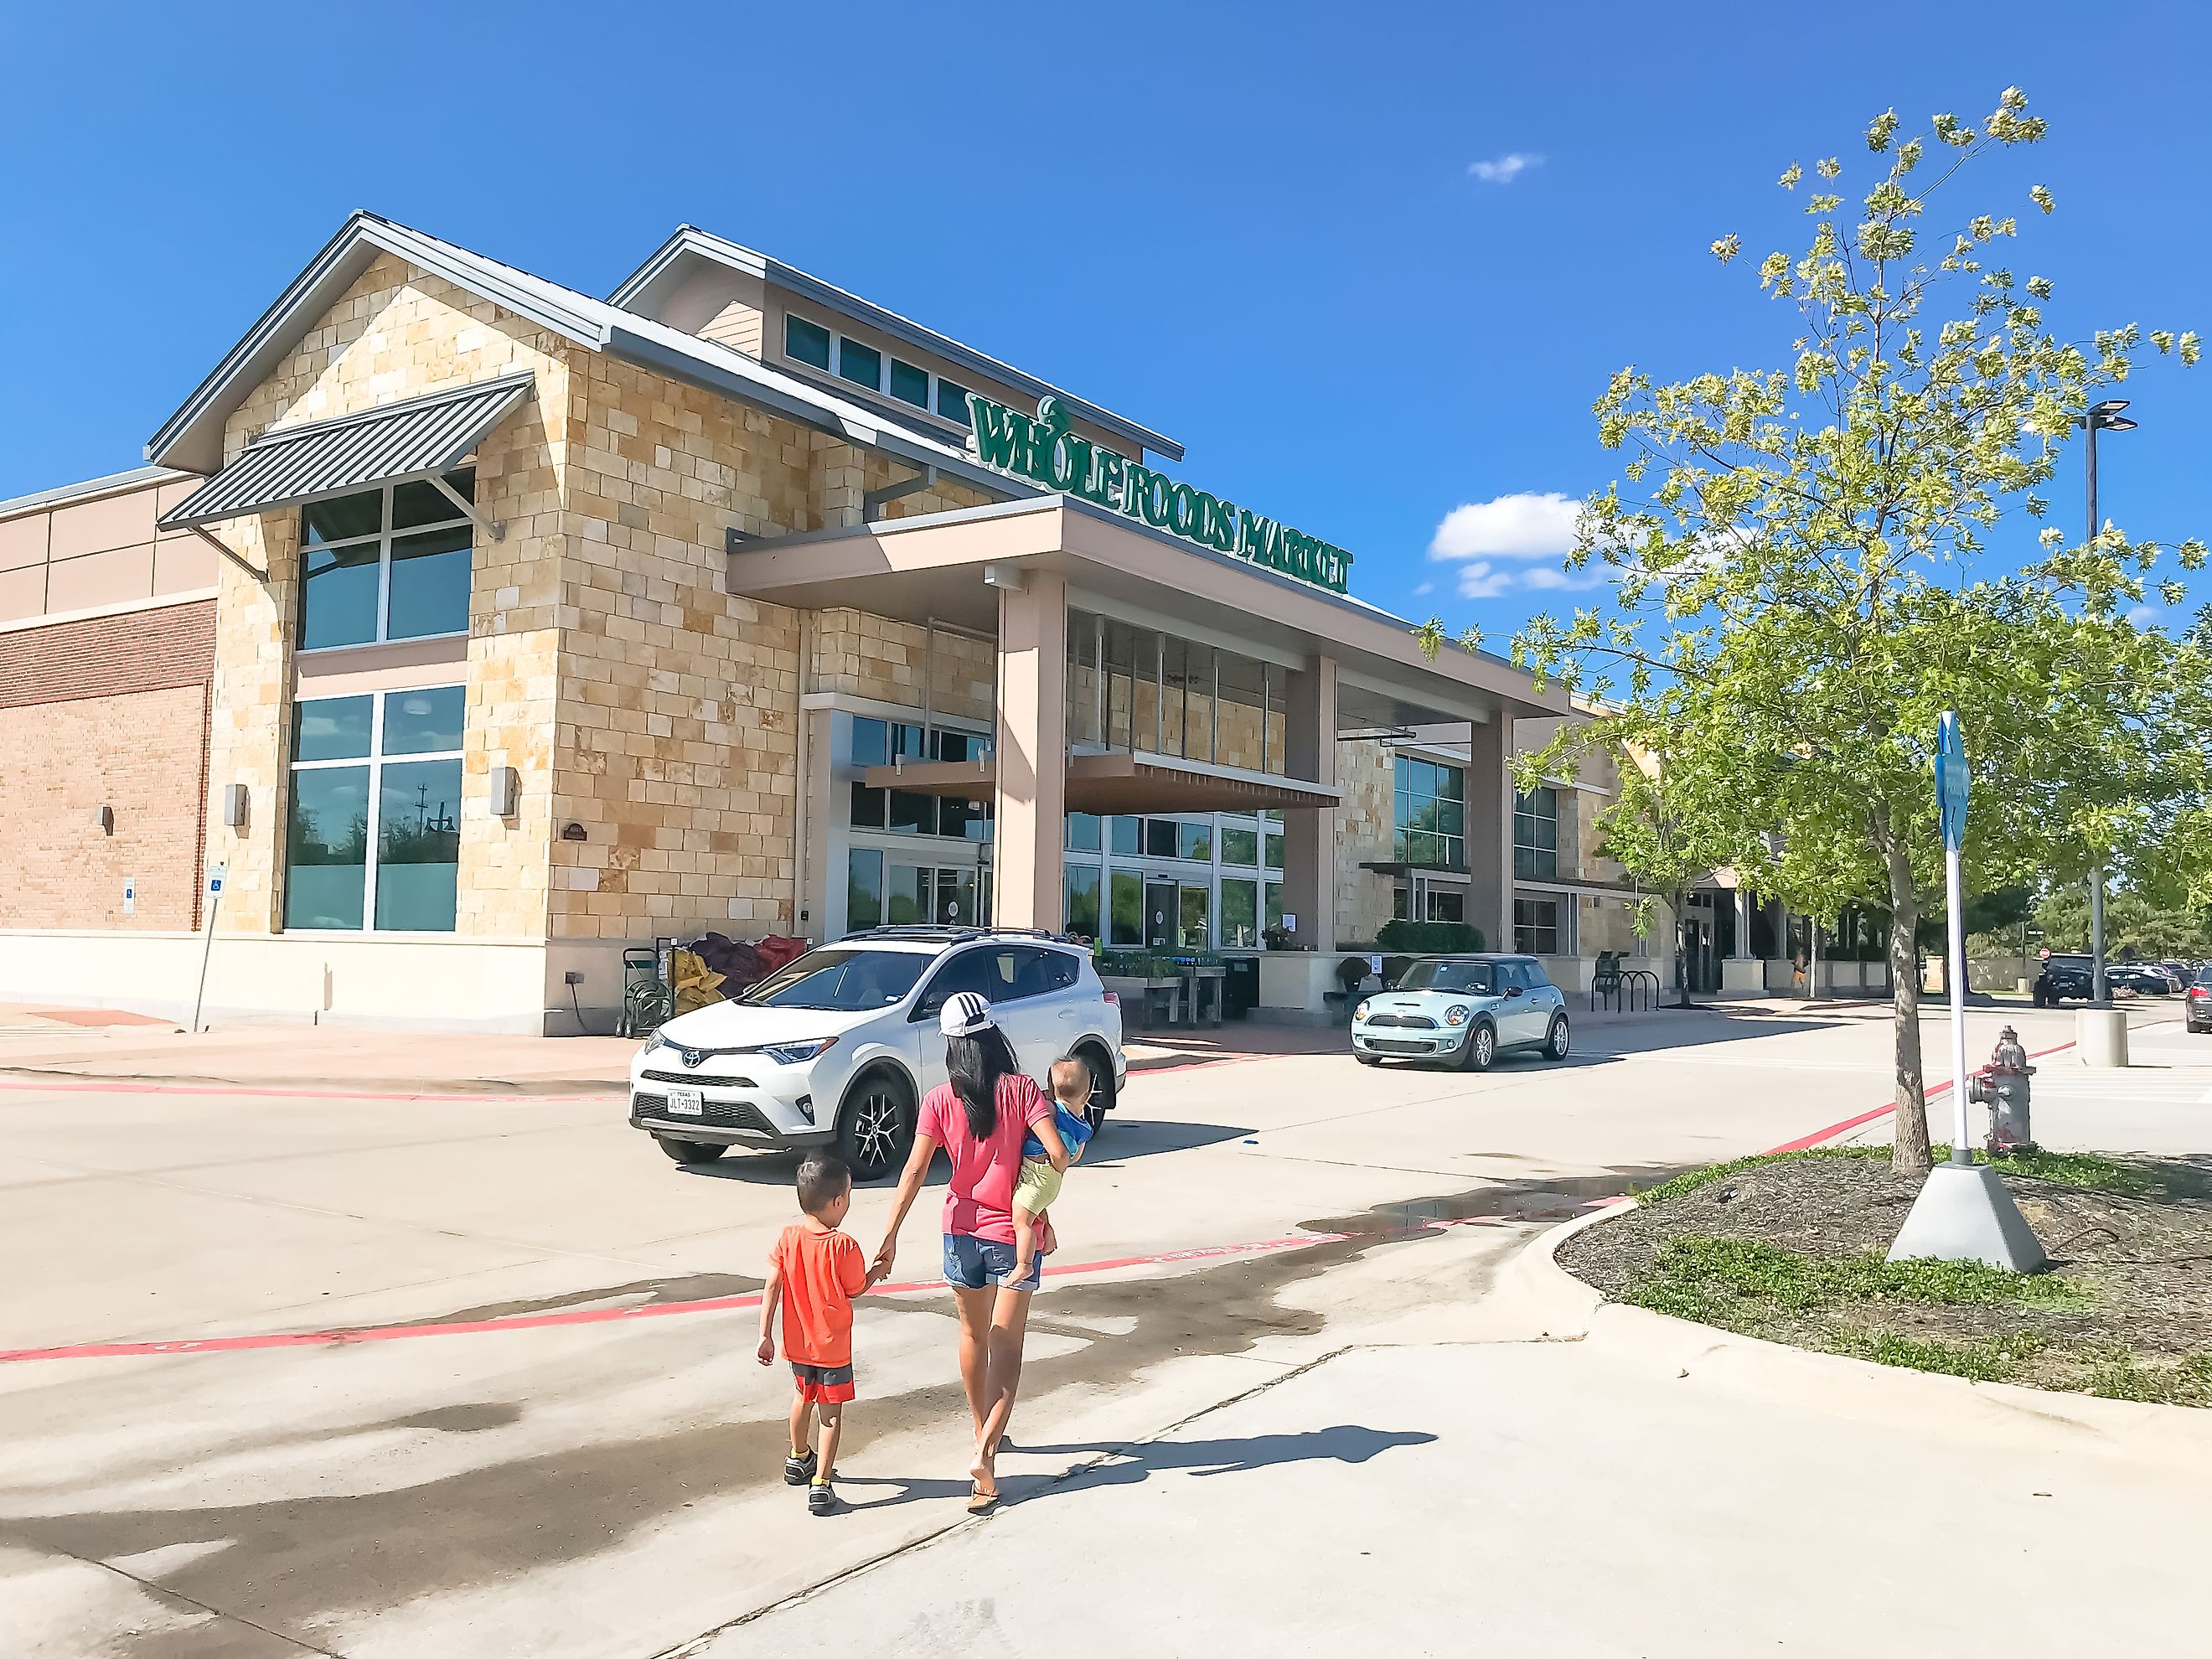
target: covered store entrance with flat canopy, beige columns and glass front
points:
(1158, 751)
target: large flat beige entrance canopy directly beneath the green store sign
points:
(950, 567)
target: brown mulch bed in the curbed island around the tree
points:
(2140, 1260)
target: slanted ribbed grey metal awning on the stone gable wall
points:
(399, 441)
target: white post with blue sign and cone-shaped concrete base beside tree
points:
(1963, 1211)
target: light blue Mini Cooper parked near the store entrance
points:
(1465, 1010)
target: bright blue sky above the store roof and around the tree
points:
(1368, 264)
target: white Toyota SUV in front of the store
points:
(842, 1045)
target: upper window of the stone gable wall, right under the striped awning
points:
(390, 563)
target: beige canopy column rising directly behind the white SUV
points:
(1030, 828)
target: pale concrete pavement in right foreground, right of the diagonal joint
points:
(1532, 1479)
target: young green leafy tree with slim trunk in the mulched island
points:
(1804, 574)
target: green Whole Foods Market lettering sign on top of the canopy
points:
(1047, 452)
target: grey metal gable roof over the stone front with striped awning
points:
(194, 437)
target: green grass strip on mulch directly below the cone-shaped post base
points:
(1711, 1273)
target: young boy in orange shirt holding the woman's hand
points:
(815, 1273)
